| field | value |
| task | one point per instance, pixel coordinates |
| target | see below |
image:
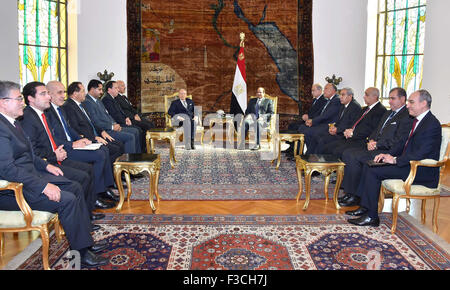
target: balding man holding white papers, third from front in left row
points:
(66, 135)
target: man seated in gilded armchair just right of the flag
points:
(259, 109)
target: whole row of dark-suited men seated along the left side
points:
(42, 147)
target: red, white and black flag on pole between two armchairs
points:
(239, 98)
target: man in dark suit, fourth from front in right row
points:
(348, 112)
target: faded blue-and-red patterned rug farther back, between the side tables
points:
(225, 174)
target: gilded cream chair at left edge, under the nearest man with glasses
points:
(27, 220)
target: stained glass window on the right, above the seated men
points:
(400, 45)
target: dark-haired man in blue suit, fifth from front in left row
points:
(101, 119)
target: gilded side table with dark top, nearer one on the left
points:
(135, 164)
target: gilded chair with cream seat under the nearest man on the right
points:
(405, 189)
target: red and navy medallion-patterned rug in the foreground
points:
(257, 242)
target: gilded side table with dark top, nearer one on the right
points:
(324, 164)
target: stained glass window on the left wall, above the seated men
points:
(42, 40)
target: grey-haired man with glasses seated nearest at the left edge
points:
(45, 188)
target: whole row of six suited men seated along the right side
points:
(408, 131)
